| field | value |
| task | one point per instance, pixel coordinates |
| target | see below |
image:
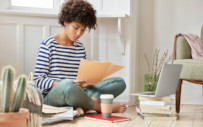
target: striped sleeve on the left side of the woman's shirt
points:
(42, 68)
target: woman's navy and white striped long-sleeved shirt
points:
(56, 62)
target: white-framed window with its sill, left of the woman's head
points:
(46, 8)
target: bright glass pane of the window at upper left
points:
(48, 4)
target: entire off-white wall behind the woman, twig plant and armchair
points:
(151, 24)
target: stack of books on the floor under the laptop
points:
(155, 108)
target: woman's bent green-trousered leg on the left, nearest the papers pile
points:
(68, 93)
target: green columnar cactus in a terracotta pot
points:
(11, 114)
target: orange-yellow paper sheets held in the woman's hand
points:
(94, 71)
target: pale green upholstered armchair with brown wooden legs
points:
(192, 70)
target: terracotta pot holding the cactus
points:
(14, 119)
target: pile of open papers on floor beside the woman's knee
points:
(51, 114)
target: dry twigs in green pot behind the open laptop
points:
(152, 77)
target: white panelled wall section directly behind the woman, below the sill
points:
(21, 34)
